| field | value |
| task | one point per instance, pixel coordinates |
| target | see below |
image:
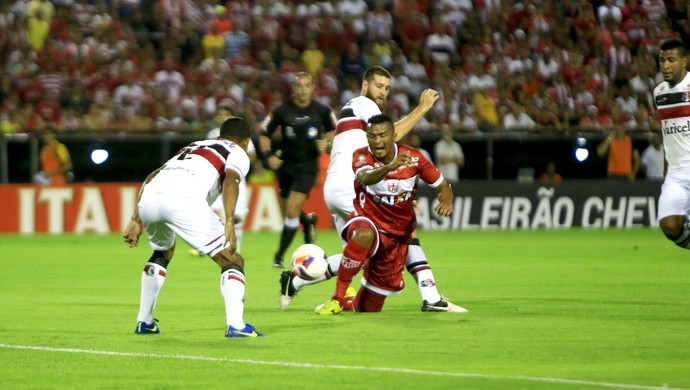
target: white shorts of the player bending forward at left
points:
(166, 213)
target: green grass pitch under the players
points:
(556, 309)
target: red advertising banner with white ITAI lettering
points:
(107, 207)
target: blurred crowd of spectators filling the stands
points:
(165, 65)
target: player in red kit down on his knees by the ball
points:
(378, 232)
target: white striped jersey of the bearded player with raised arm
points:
(350, 135)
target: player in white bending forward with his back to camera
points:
(175, 200)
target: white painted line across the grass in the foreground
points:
(343, 367)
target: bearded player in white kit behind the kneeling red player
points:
(339, 191)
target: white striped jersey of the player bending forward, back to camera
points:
(201, 166)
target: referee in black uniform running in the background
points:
(306, 129)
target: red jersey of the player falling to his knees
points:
(389, 203)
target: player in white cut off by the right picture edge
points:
(672, 100)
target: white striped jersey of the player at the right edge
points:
(673, 110)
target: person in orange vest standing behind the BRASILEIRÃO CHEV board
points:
(623, 159)
